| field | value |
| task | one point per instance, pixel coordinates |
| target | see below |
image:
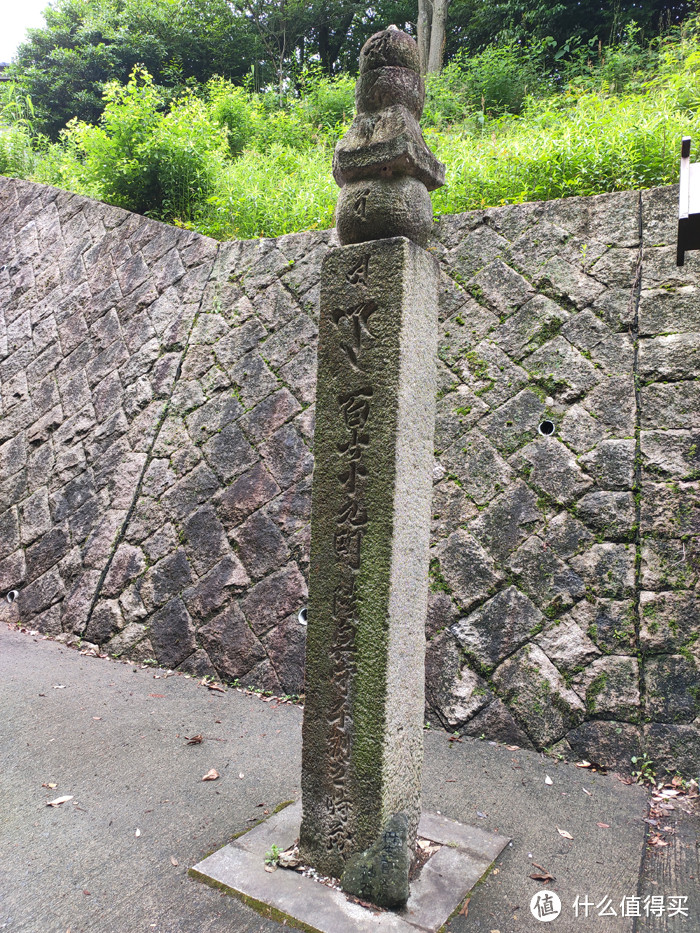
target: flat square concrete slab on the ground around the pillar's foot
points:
(464, 856)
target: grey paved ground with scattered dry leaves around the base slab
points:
(114, 858)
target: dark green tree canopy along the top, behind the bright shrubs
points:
(65, 65)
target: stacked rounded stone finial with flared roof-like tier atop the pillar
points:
(383, 165)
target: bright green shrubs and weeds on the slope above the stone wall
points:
(513, 122)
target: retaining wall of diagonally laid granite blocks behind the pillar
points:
(156, 449)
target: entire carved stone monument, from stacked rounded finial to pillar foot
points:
(370, 527)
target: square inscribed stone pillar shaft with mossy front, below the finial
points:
(370, 534)
